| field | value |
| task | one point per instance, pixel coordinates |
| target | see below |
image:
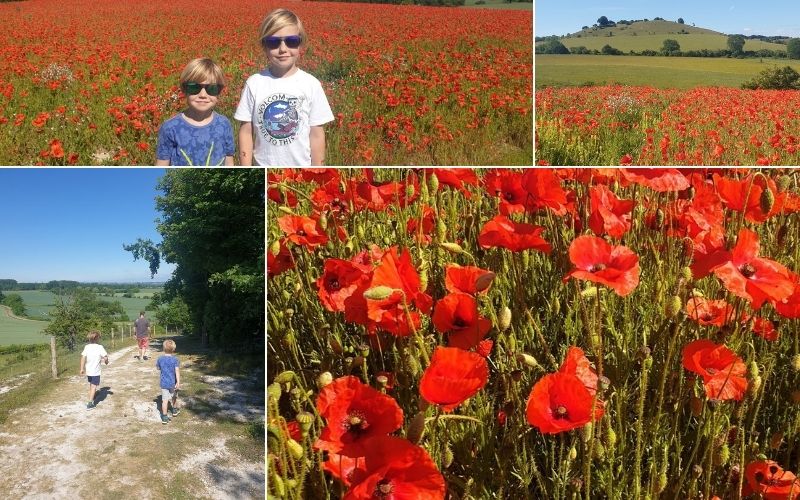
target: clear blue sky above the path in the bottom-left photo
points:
(70, 224)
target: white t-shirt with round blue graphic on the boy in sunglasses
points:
(282, 111)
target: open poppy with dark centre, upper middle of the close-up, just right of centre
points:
(597, 261)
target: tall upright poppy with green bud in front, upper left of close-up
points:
(390, 313)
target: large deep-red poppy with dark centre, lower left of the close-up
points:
(355, 412)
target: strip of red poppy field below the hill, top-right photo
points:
(621, 125)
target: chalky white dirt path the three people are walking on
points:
(56, 448)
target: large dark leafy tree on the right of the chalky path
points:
(212, 227)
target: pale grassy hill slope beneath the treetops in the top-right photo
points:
(651, 35)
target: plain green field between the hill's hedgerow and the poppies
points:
(661, 72)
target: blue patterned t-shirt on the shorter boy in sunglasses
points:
(182, 143)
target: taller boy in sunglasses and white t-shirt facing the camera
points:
(282, 108)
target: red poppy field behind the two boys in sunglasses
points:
(90, 84)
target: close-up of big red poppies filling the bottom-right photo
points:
(536, 333)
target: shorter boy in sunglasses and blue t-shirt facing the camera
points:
(198, 136)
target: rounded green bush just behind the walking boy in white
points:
(79, 311)
